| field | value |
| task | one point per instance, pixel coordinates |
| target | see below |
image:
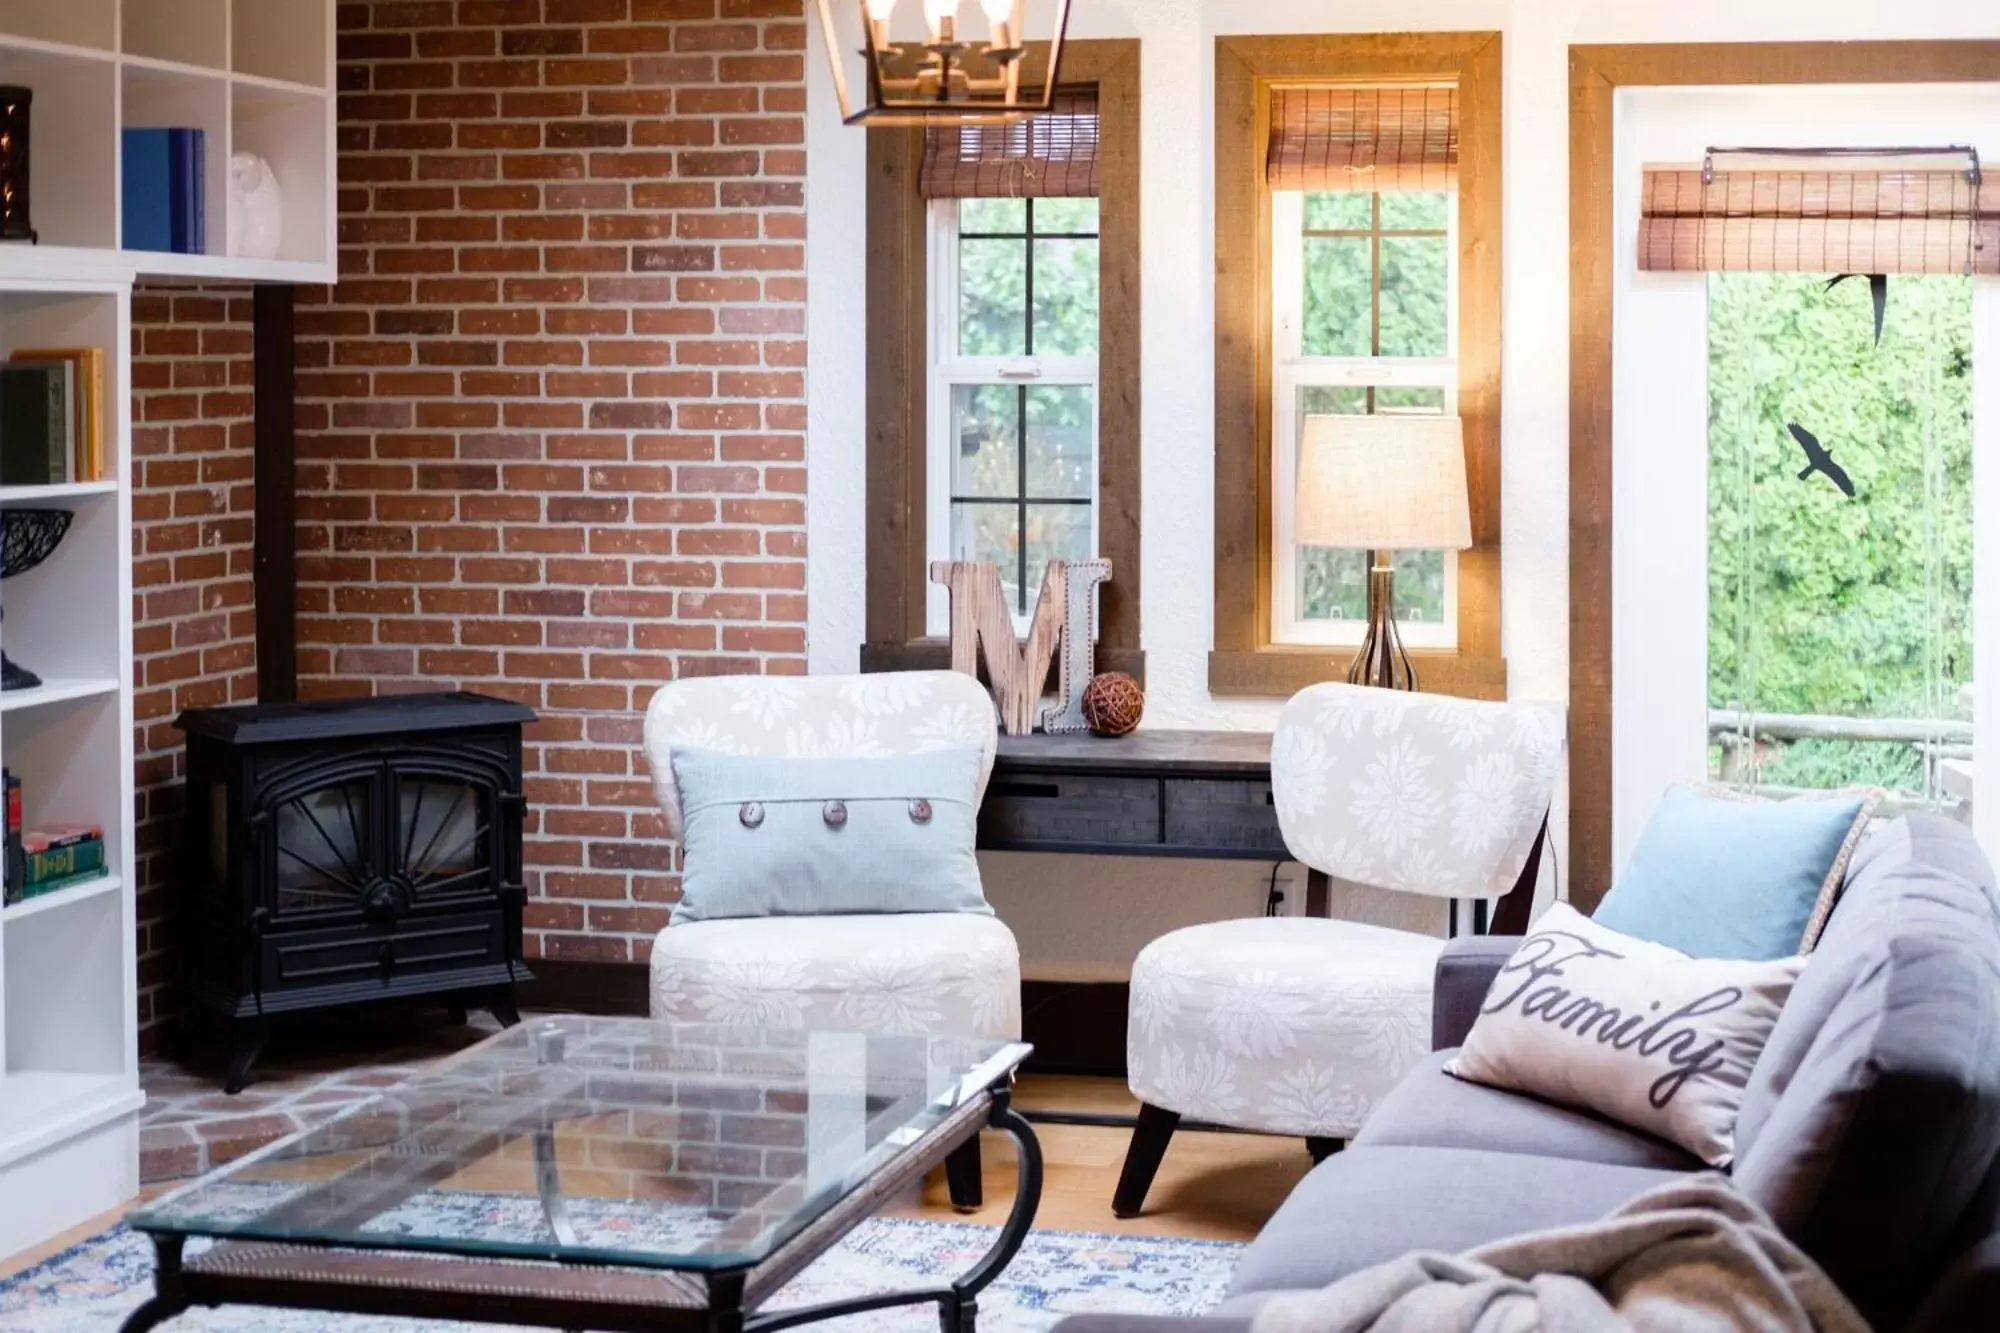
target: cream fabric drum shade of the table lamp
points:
(1385, 483)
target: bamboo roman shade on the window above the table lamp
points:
(1363, 139)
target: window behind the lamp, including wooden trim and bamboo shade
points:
(1357, 273)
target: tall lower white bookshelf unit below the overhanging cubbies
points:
(69, 990)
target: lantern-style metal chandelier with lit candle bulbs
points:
(939, 71)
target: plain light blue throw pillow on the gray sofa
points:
(1737, 880)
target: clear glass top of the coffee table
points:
(601, 1142)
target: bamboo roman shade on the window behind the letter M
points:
(1053, 155)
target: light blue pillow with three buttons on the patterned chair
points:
(829, 838)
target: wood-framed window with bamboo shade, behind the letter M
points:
(1003, 335)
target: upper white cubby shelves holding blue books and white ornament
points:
(255, 75)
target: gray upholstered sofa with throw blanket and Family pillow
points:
(1871, 1130)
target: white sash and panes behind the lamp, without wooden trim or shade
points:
(1363, 323)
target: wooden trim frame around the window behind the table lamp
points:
(1245, 659)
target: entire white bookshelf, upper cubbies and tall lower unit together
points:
(257, 75)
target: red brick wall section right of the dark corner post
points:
(553, 415)
